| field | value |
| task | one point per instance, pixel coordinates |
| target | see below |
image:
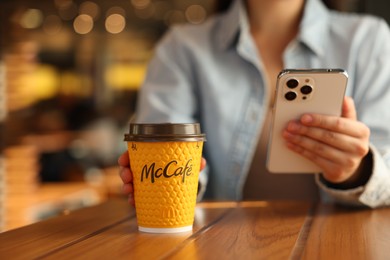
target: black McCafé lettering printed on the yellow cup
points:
(172, 169)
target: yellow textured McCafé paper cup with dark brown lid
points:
(165, 161)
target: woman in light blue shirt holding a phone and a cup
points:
(223, 73)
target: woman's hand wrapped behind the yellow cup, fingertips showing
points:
(127, 176)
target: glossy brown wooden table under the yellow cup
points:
(222, 230)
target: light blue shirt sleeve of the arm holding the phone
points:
(372, 99)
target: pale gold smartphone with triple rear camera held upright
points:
(298, 92)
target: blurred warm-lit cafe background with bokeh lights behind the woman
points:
(69, 75)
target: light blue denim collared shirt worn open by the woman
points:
(212, 73)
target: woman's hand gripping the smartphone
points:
(336, 144)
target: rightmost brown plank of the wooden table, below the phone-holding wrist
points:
(349, 233)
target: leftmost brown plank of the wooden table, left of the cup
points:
(42, 238)
